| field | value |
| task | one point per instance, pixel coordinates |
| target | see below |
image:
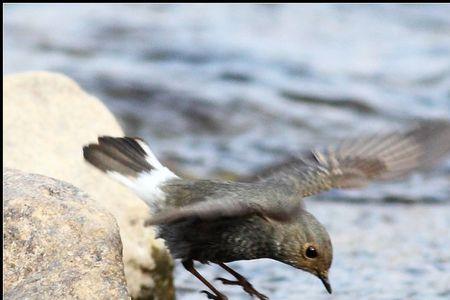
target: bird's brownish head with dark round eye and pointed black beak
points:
(306, 245)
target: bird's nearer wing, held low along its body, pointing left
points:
(239, 201)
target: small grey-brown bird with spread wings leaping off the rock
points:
(212, 221)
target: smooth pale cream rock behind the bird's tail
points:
(47, 120)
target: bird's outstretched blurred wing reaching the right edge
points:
(354, 163)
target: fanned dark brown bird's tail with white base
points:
(131, 162)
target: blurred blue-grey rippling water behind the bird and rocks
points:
(221, 91)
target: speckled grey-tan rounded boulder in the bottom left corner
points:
(57, 242)
